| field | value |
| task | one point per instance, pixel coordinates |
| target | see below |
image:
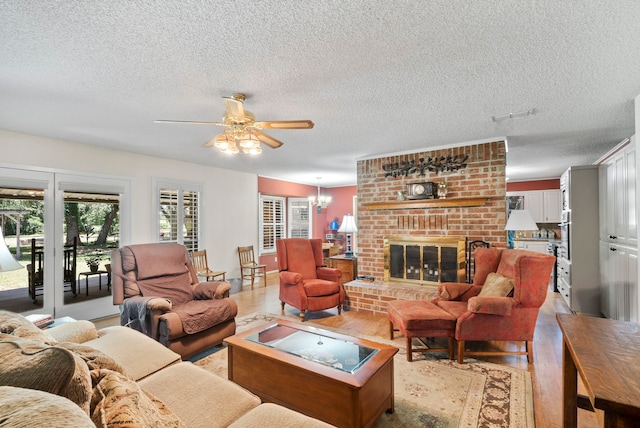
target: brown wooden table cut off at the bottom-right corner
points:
(606, 355)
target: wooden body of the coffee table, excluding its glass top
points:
(336, 397)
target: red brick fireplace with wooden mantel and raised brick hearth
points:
(474, 208)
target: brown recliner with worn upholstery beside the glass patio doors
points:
(159, 294)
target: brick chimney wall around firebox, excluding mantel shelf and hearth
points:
(483, 177)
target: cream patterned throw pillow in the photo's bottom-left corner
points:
(22, 407)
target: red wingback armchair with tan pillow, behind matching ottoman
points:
(497, 313)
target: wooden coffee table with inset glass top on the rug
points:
(340, 379)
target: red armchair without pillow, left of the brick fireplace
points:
(305, 283)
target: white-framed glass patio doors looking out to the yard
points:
(66, 222)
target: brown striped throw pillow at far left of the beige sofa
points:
(29, 364)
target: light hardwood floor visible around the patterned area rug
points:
(545, 371)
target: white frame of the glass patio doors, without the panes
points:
(53, 292)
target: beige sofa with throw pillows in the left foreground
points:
(73, 375)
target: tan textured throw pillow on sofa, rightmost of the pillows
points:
(119, 401)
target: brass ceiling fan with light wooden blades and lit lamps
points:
(242, 132)
